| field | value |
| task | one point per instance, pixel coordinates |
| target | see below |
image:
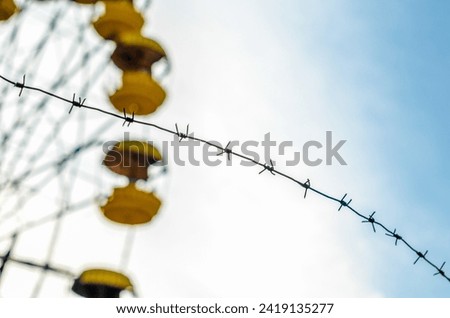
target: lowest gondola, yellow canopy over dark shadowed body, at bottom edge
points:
(101, 283)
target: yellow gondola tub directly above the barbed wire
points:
(139, 94)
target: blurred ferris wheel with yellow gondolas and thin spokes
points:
(58, 162)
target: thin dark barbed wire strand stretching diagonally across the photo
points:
(80, 102)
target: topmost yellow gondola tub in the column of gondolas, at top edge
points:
(119, 17)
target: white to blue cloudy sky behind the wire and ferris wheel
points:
(372, 73)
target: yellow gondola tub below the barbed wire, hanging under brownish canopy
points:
(131, 206)
